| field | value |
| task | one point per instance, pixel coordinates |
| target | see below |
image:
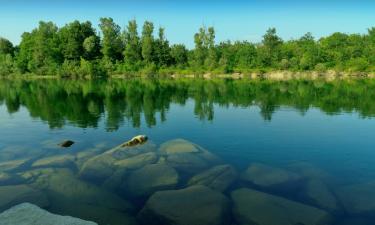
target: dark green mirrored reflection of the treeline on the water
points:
(83, 102)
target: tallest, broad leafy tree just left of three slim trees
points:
(112, 45)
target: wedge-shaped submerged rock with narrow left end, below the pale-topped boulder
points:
(217, 178)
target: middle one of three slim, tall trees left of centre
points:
(147, 41)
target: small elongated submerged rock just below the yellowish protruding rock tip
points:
(137, 161)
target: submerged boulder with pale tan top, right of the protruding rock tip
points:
(186, 156)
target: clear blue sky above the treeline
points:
(233, 19)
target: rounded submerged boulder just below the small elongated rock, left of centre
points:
(151, 178)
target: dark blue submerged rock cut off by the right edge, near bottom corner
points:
(358, 198)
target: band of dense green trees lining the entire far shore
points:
(79, 50)
